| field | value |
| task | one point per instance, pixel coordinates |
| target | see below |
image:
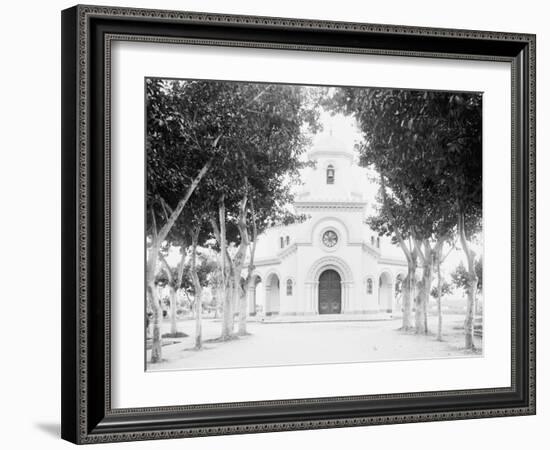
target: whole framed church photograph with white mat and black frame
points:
(281, 224)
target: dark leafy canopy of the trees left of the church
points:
(256, 129)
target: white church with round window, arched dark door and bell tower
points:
(332, 263)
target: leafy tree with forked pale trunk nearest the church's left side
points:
(266, 160)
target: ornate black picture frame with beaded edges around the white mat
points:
(87, 34)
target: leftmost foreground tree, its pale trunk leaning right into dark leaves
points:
(177, 161)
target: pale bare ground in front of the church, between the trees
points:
(277, 344)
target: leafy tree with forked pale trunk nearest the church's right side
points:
(402, 137)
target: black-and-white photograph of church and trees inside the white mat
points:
(296, 224)
